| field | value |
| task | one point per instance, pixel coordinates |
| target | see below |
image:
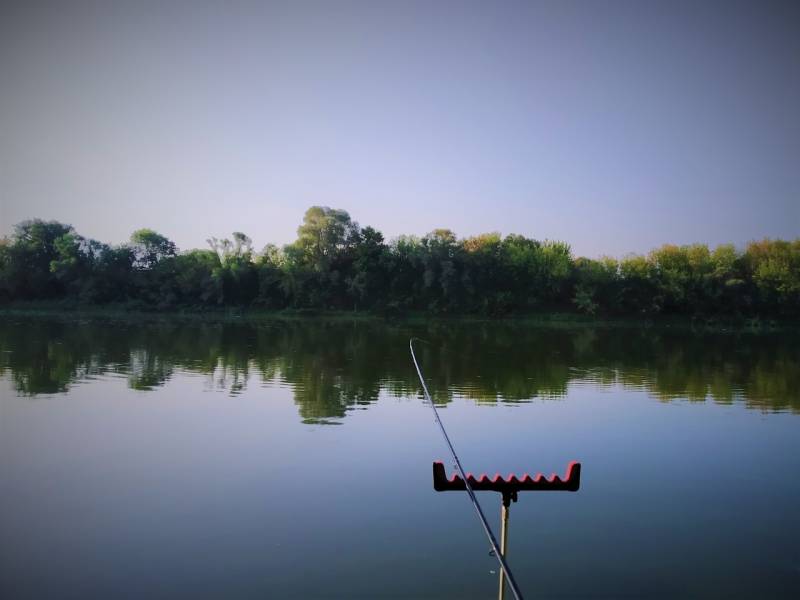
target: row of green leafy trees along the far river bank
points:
(336, 264)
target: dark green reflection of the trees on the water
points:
(334, 366)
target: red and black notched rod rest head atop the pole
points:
(510, 486)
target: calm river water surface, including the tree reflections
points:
(293, 459)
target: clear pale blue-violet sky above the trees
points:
(615, 126)
